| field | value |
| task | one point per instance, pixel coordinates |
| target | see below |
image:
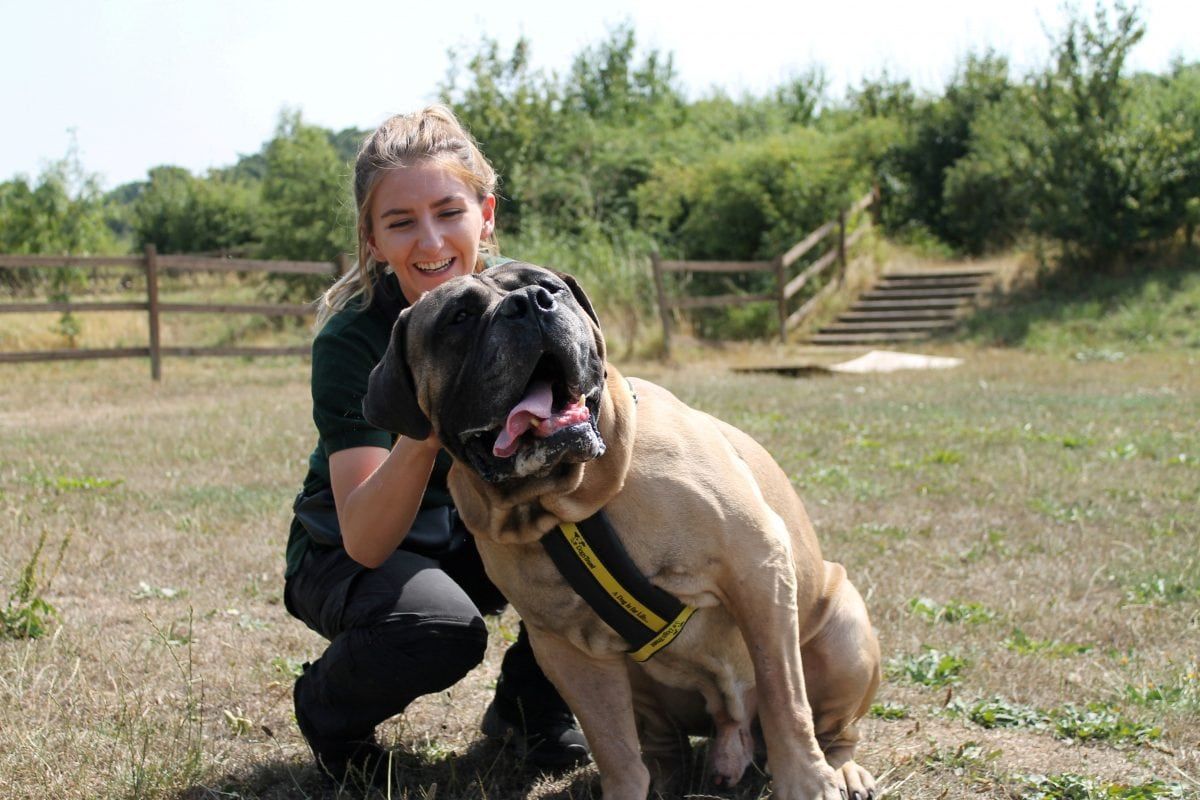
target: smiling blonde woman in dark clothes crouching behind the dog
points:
(377, 561)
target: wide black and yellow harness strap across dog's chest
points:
(592, 560)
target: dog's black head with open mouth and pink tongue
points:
(506, 366)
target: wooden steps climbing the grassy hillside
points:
(908, 306)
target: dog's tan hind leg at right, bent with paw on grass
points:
(842, 672)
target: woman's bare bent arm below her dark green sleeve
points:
(379, 494)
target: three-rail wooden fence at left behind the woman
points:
(153, 266)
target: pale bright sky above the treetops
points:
(134, 85)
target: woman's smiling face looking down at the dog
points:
(428, 225)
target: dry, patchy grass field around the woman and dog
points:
(1024, 530)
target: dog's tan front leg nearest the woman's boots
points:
(599, 694)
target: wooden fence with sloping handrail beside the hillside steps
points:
(787, 288)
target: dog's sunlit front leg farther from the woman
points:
(771, 630)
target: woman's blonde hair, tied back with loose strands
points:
(433, 135)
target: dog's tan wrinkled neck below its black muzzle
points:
(523, 512)
